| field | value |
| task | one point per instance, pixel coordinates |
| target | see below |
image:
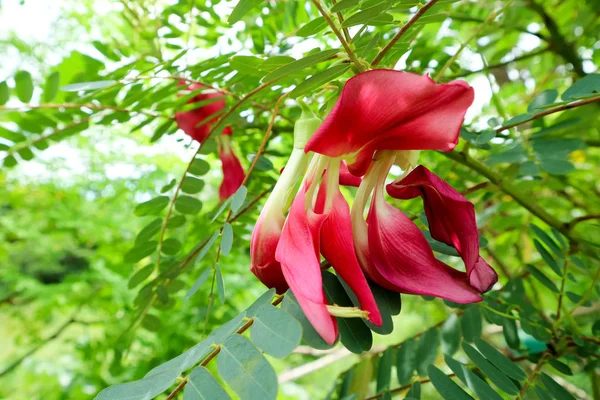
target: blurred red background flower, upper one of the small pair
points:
(188, 121)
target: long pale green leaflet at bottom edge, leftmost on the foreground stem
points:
(143, 389)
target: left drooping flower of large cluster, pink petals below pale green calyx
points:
(318, 223)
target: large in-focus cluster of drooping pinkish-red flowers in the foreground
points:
(382, 118)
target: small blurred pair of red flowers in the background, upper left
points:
(197, 124)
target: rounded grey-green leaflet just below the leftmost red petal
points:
(275, 332)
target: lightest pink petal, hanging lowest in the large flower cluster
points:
(298, 253)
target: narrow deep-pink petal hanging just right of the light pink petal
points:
(337, 246)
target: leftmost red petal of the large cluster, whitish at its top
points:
(263, 244)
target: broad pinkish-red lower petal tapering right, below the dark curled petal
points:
(405, 260)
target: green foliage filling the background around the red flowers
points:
(124, 277)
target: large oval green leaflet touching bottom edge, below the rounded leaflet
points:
(246, 371)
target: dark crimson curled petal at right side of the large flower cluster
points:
(451, 220)
